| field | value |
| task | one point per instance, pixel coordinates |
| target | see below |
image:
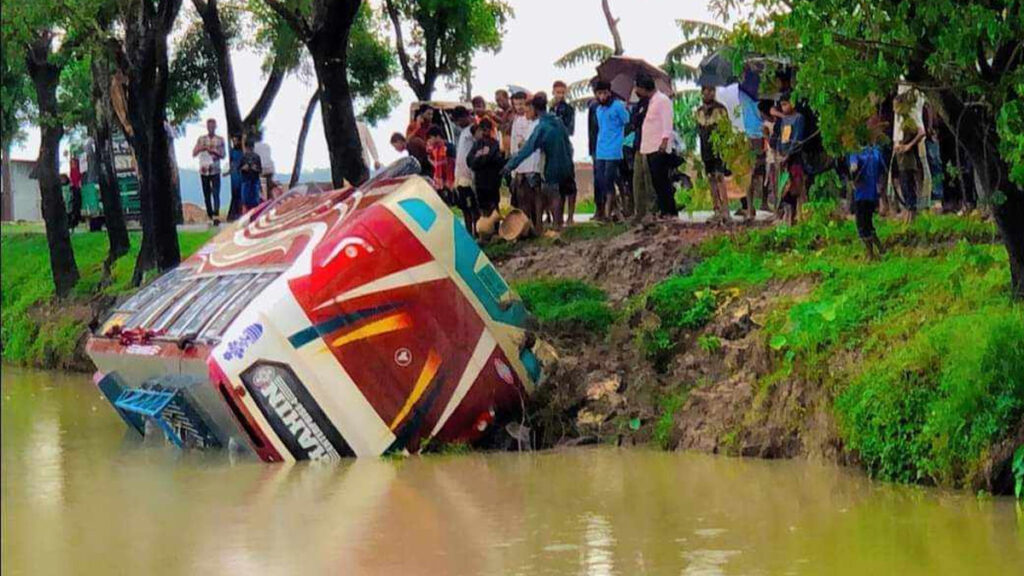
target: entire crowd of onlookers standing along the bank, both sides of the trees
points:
(523, 142)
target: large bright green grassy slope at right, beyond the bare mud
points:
(923, 352)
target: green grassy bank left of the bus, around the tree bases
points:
(36, 330)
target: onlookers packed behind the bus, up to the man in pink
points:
(524, 142)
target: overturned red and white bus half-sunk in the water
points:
(322, 325)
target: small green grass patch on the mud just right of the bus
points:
(568, 306)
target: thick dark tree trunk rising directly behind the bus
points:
(329, 50)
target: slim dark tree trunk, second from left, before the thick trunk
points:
(110, 192)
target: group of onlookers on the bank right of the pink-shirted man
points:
(781, 143)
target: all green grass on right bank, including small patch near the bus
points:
(920, 356)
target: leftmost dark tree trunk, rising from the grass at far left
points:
(46, 76)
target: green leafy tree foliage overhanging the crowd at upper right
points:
(848, 57)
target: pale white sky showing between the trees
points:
(540, 33)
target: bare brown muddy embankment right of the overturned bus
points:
(603, 389)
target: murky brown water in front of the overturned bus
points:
(79, 498)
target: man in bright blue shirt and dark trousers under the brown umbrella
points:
(612, 120)
